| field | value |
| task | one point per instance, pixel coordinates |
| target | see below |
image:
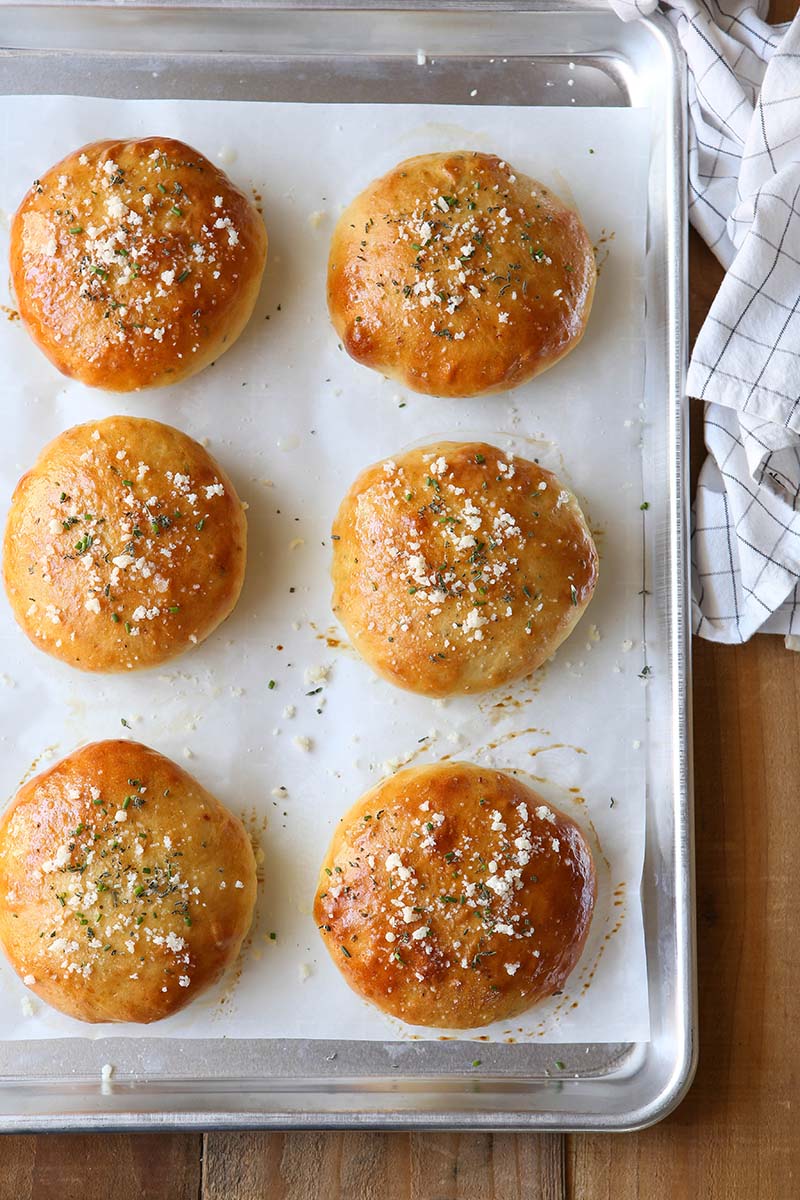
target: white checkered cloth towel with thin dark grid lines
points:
(744, 167)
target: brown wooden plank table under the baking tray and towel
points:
(737, 1133)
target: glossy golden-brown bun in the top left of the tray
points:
(136, 263)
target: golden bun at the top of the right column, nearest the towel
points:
(458, 277)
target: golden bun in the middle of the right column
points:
(458, 568)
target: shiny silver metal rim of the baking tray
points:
(185, 1102)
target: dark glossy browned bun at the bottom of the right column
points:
(454, 896)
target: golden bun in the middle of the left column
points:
(124, 547)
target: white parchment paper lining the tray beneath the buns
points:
(293, 421)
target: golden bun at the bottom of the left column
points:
(127, 889)
